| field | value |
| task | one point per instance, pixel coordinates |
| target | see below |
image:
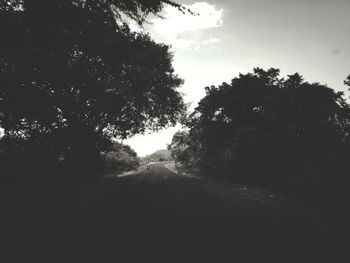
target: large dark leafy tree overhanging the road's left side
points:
(73, 75)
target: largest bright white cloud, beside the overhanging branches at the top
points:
(185, 30)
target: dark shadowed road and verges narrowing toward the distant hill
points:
(159, 216)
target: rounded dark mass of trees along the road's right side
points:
(281, 133)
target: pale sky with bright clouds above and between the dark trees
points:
(228, 37)
